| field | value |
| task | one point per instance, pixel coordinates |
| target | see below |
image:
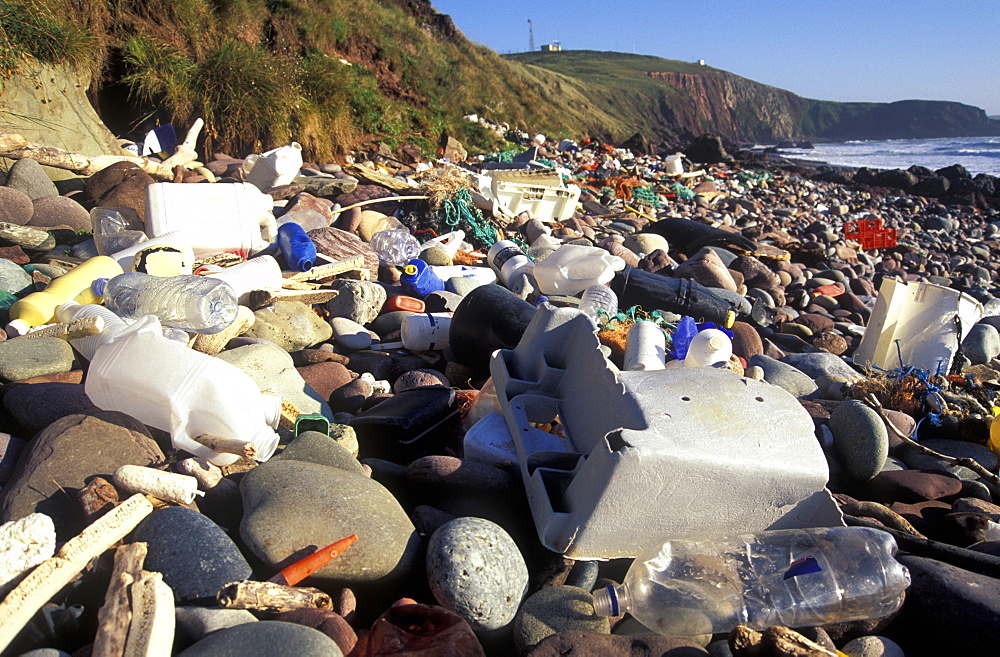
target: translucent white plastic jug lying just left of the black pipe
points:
(572, 268)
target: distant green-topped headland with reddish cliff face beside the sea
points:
(694, 99)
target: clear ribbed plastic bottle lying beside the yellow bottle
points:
(190, 303)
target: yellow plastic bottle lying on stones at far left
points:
(40, 307)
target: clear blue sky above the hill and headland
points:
(847, 50)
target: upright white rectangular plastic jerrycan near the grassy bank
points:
(217, 218)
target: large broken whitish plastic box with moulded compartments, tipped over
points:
(651, 455)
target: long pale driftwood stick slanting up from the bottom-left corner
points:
(52, 574)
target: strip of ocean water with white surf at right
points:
(977, 154)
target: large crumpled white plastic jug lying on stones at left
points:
(168, 386)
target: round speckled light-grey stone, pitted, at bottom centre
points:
(475, 570)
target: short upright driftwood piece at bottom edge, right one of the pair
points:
(151, 633)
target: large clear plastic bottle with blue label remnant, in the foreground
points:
(790, 577)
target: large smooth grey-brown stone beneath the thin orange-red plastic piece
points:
(289, 505)
